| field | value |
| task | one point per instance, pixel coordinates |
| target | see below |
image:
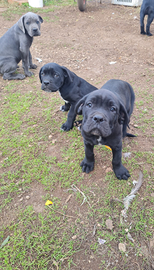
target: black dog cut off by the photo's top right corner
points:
(147, 8)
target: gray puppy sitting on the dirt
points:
(15, 45)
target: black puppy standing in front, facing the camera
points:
(106, 115)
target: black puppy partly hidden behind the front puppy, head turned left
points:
(71, 88)
